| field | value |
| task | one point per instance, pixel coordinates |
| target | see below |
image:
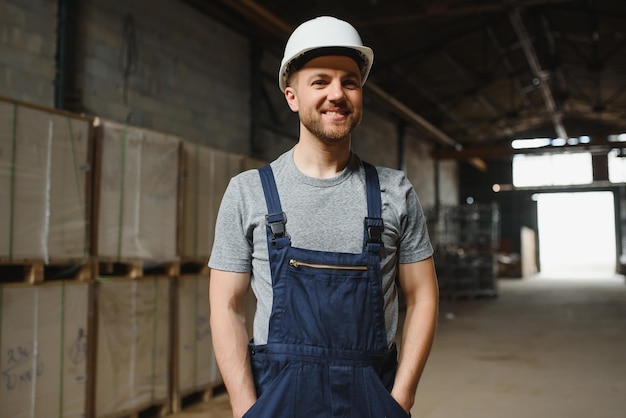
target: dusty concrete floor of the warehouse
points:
(544, 348)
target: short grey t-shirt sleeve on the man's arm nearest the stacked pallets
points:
(231, 249)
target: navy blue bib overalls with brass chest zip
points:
(327, 354)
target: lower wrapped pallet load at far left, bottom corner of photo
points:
(43, 341)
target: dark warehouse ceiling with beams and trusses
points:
(473, 76)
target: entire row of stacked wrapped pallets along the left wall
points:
(103, 278)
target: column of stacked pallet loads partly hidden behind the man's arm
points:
(206, 173)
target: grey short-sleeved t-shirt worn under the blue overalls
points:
(323, 215)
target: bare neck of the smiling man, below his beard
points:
(320, 160)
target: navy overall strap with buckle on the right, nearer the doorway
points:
(373, 222)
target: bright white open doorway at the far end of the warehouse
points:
(576, 234)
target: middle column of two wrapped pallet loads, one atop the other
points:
(135, 262)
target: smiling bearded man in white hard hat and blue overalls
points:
(321, 236)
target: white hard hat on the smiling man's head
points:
(324, 35)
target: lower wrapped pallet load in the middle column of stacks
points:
(133, 348)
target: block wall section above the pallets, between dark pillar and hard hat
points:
(185, 73)
